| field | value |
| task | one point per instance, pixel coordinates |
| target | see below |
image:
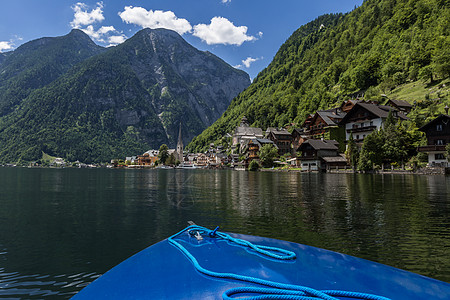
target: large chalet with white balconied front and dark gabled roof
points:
(365, 118)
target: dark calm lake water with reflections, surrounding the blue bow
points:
(62, 228)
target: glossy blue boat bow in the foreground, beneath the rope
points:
(162, 271)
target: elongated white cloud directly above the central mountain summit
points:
(155, 19)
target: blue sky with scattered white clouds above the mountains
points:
(244, 33)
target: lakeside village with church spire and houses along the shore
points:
(320, 144)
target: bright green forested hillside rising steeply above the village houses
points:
(378, 48)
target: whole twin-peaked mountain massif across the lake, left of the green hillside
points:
(119, 101)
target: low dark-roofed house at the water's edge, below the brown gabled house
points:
(320, 155)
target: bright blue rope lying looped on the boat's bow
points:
(277, 290)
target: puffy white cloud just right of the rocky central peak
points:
(222, 31)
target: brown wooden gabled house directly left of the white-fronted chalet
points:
(324, 124)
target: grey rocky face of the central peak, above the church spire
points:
(184, 83)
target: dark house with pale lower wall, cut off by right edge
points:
(437, 132)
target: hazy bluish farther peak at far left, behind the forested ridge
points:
(38, 63)
